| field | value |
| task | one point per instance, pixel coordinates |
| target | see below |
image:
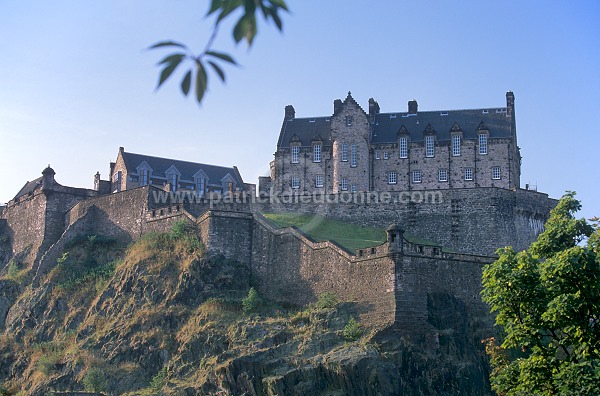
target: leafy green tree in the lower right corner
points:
(547, 300)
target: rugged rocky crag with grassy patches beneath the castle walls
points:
(158, 317)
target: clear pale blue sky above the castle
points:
(76, 82)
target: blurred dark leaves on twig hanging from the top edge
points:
(246, 29)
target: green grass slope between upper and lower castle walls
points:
(350, 236)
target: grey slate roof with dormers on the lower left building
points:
(187, 169)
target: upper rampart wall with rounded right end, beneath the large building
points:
(475, 221)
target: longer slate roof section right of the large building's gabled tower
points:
(386, 126)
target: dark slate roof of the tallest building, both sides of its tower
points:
(385, 126)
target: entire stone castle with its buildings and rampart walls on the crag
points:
(472, 214)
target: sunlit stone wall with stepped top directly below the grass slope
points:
(288, 266)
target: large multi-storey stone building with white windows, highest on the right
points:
(355, 151)
